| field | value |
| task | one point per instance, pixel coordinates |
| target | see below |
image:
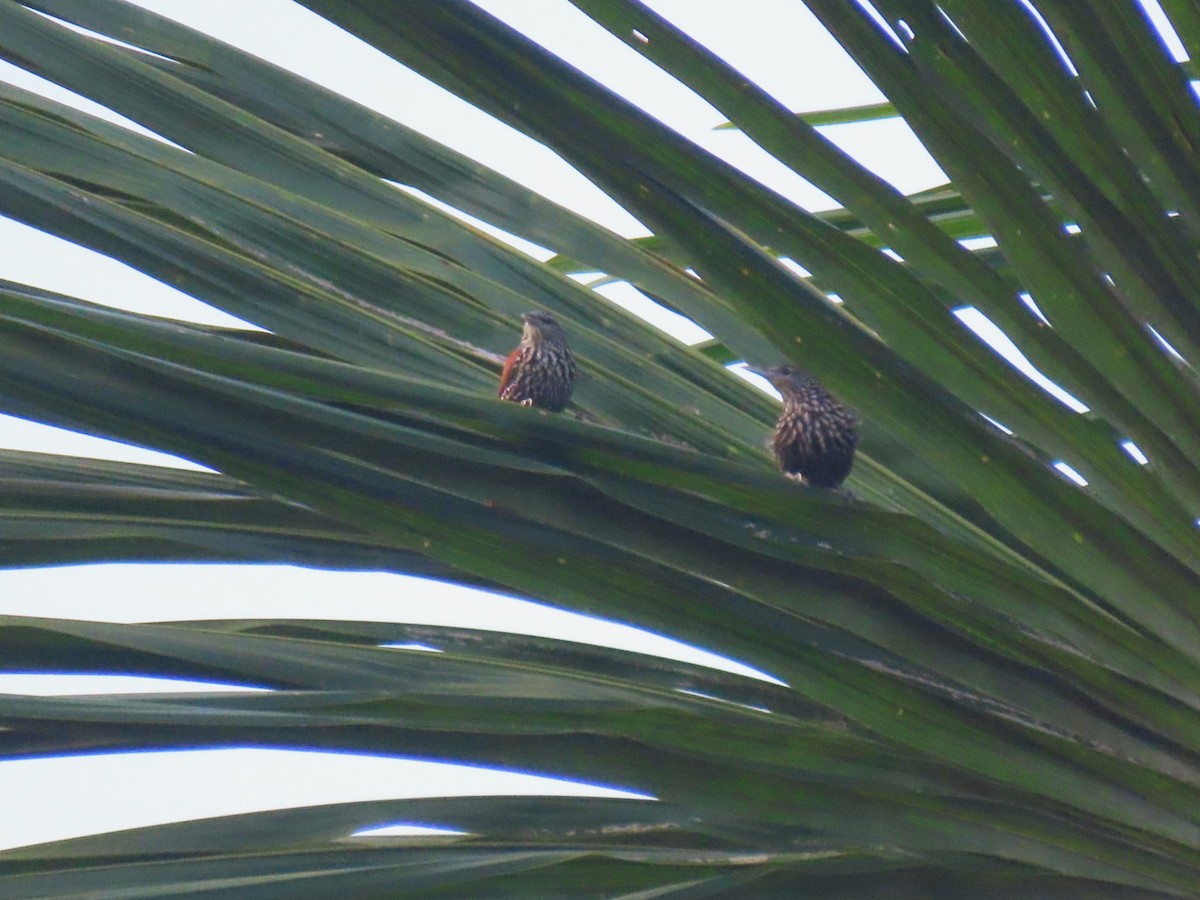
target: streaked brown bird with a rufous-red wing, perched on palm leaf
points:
(541, 371)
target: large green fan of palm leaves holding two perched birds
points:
(989, 677)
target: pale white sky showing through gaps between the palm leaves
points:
(777, 43)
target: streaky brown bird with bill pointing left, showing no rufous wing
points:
(815, 436)
